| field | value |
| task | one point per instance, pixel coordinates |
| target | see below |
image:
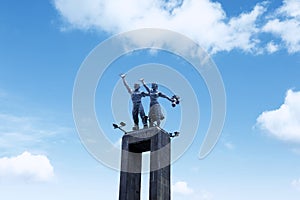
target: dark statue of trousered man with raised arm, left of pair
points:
(137, 107)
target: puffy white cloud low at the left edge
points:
(26, 167)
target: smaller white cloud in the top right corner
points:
(285, 24)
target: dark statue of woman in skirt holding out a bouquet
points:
(155, 113)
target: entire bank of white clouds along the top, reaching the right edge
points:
(204, 21)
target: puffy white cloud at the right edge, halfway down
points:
(284, 122)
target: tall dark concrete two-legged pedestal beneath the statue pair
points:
(157, 141)
